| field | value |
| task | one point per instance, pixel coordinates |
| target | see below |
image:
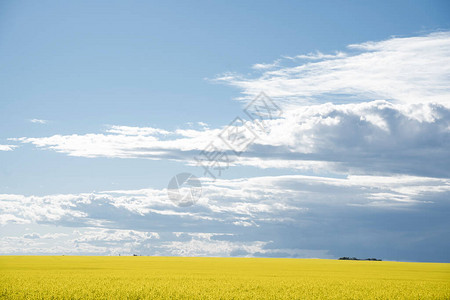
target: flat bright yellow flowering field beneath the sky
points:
(77, 277)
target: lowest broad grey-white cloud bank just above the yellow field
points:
(245, 217)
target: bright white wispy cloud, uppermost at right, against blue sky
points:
(402, 70)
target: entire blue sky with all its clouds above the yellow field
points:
(314, 129)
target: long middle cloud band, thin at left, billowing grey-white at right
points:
(362, 138)
